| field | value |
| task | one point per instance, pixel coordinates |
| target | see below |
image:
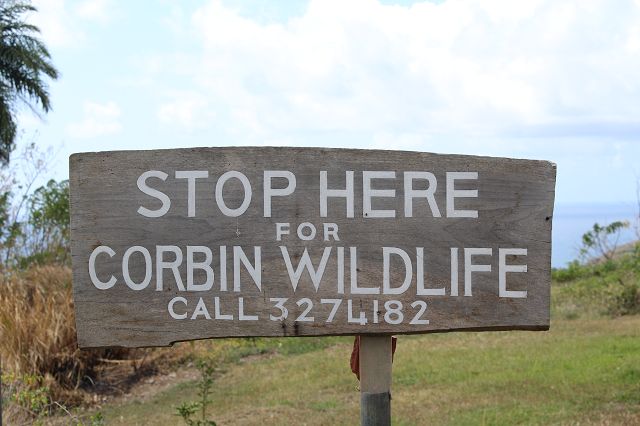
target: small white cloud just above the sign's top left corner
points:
(98, 120)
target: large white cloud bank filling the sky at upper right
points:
(473, 69)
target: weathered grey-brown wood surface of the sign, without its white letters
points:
(515, 210)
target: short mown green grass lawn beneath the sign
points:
(580, 372)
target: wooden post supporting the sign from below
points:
(375, 380)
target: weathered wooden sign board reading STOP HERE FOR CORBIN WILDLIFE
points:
(183, 244)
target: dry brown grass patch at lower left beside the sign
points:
(41, 364)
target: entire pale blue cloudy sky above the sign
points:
(538, 79)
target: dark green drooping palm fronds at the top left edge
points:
(24, 62)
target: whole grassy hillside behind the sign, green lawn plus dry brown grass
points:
(585, 370)
